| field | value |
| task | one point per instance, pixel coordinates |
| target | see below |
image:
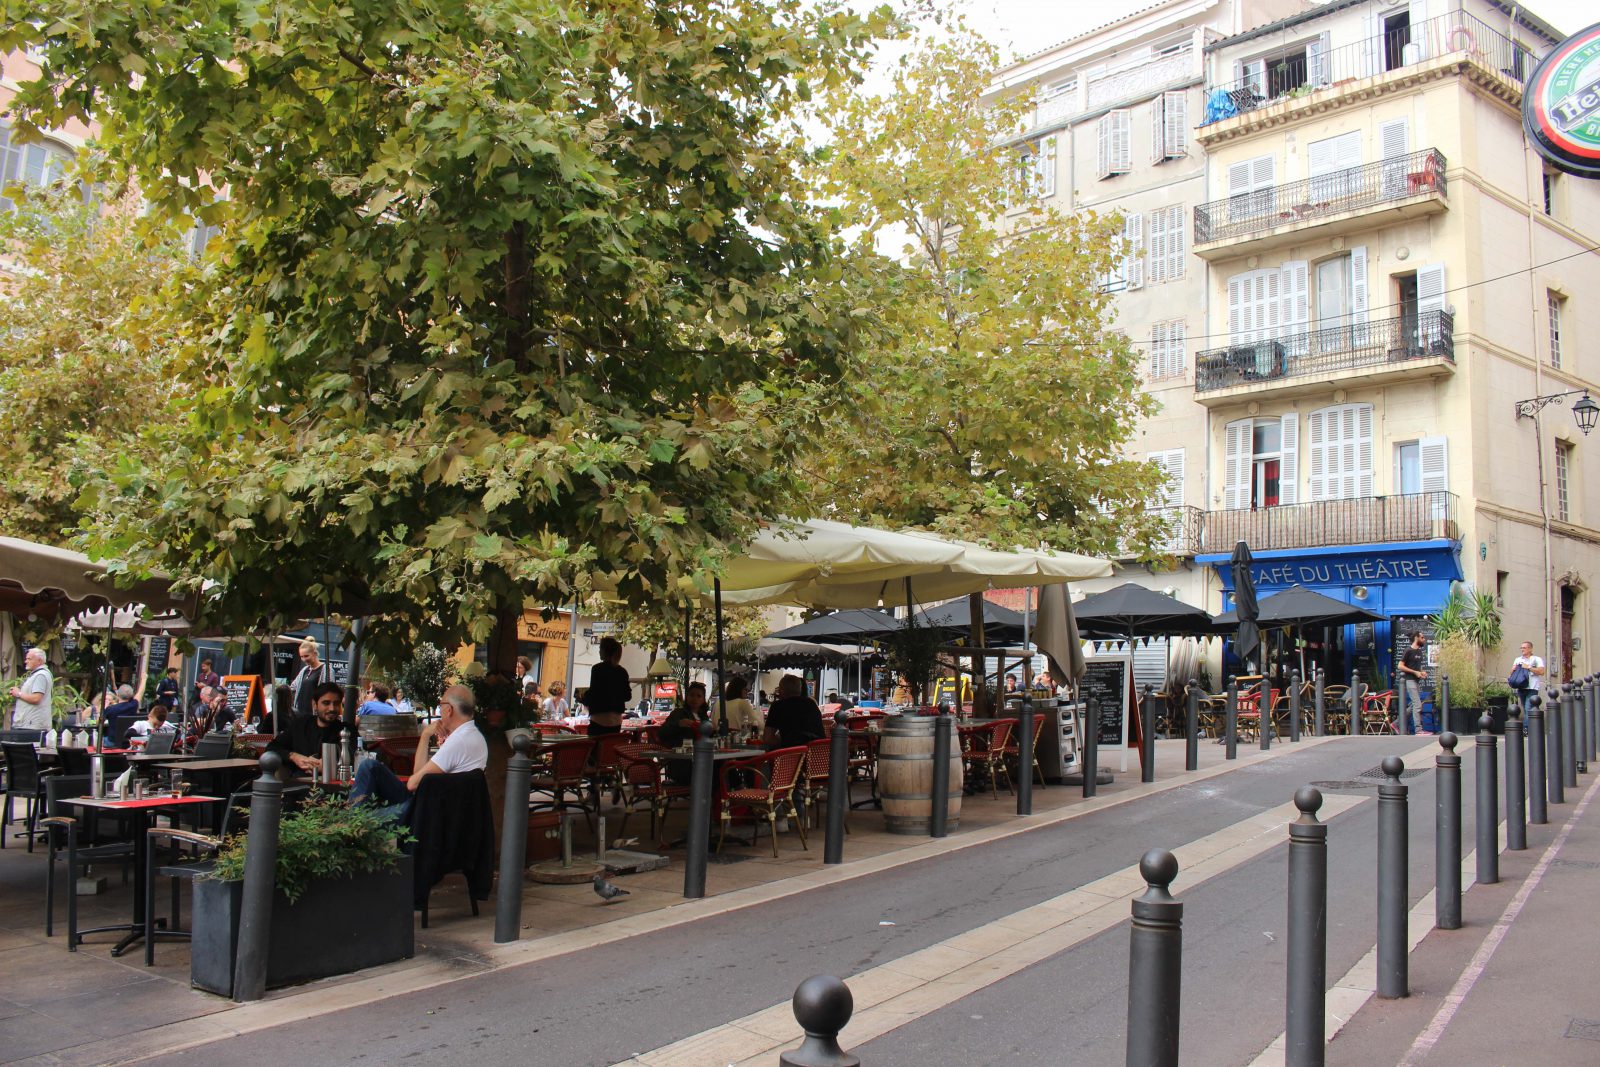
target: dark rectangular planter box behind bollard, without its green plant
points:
(338, 925)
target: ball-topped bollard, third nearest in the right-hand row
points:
(1305, 1005)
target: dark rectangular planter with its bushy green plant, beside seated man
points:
(343, 900)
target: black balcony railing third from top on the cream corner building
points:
(1324, 353)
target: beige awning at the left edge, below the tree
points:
(44, 580)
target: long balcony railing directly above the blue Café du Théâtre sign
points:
(1359, 521)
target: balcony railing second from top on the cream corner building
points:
(1354, 190)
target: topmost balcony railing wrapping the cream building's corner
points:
(1311, 70)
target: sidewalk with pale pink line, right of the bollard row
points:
(1518, 983)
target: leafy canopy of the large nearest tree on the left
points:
(508, 295)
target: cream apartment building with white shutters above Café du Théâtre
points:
(1378, 270)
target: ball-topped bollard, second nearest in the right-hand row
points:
(1156, 957)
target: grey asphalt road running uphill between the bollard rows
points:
(607, 1004)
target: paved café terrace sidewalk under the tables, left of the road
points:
(87, 1009)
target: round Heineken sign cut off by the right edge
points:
(1561, 108)
